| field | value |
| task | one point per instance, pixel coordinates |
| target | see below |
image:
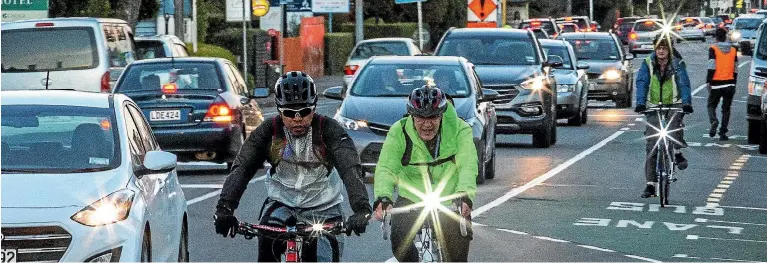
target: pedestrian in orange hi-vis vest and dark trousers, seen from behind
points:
(721, 80)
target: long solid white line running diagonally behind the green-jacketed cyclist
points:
(540, 179)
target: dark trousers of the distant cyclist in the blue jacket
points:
(675, 124)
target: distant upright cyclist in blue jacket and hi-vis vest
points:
(663, 72)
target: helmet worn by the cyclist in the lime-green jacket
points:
(427, 101)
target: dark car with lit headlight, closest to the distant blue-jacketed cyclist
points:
(609, 67)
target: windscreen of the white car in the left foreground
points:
(58, 139)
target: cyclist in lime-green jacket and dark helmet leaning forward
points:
(431, 142)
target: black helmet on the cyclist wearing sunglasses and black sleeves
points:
(295, 88)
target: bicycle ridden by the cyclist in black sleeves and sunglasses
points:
(295, 236)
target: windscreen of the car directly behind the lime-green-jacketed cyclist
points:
(388, 80)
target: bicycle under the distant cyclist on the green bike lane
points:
(665, 163)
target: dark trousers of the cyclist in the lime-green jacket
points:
(404, 228)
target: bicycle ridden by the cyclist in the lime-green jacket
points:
(427, 245)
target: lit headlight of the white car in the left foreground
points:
(113, 208)
